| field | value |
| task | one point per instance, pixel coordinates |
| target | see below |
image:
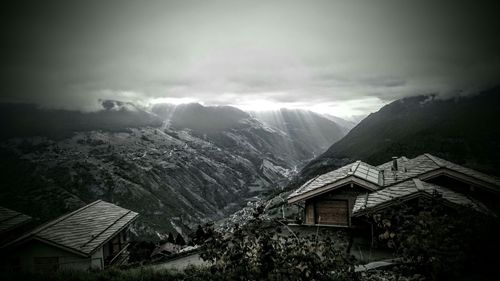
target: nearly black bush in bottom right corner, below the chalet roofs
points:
(441, 242)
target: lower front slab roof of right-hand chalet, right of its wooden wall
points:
(408, 190)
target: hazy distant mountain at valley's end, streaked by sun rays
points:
(311, 130)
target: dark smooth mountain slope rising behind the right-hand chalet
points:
(461, 129)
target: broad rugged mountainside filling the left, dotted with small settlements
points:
(176, 165)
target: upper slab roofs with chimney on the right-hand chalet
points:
(383, 175)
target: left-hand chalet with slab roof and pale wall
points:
(92, 237)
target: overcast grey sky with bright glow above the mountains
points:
(343, 58)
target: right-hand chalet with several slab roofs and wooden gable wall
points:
(338, 197)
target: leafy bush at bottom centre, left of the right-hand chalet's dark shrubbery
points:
(263, 250)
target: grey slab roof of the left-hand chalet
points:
(82, 231)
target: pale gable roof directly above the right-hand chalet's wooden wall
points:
(358, 169)
